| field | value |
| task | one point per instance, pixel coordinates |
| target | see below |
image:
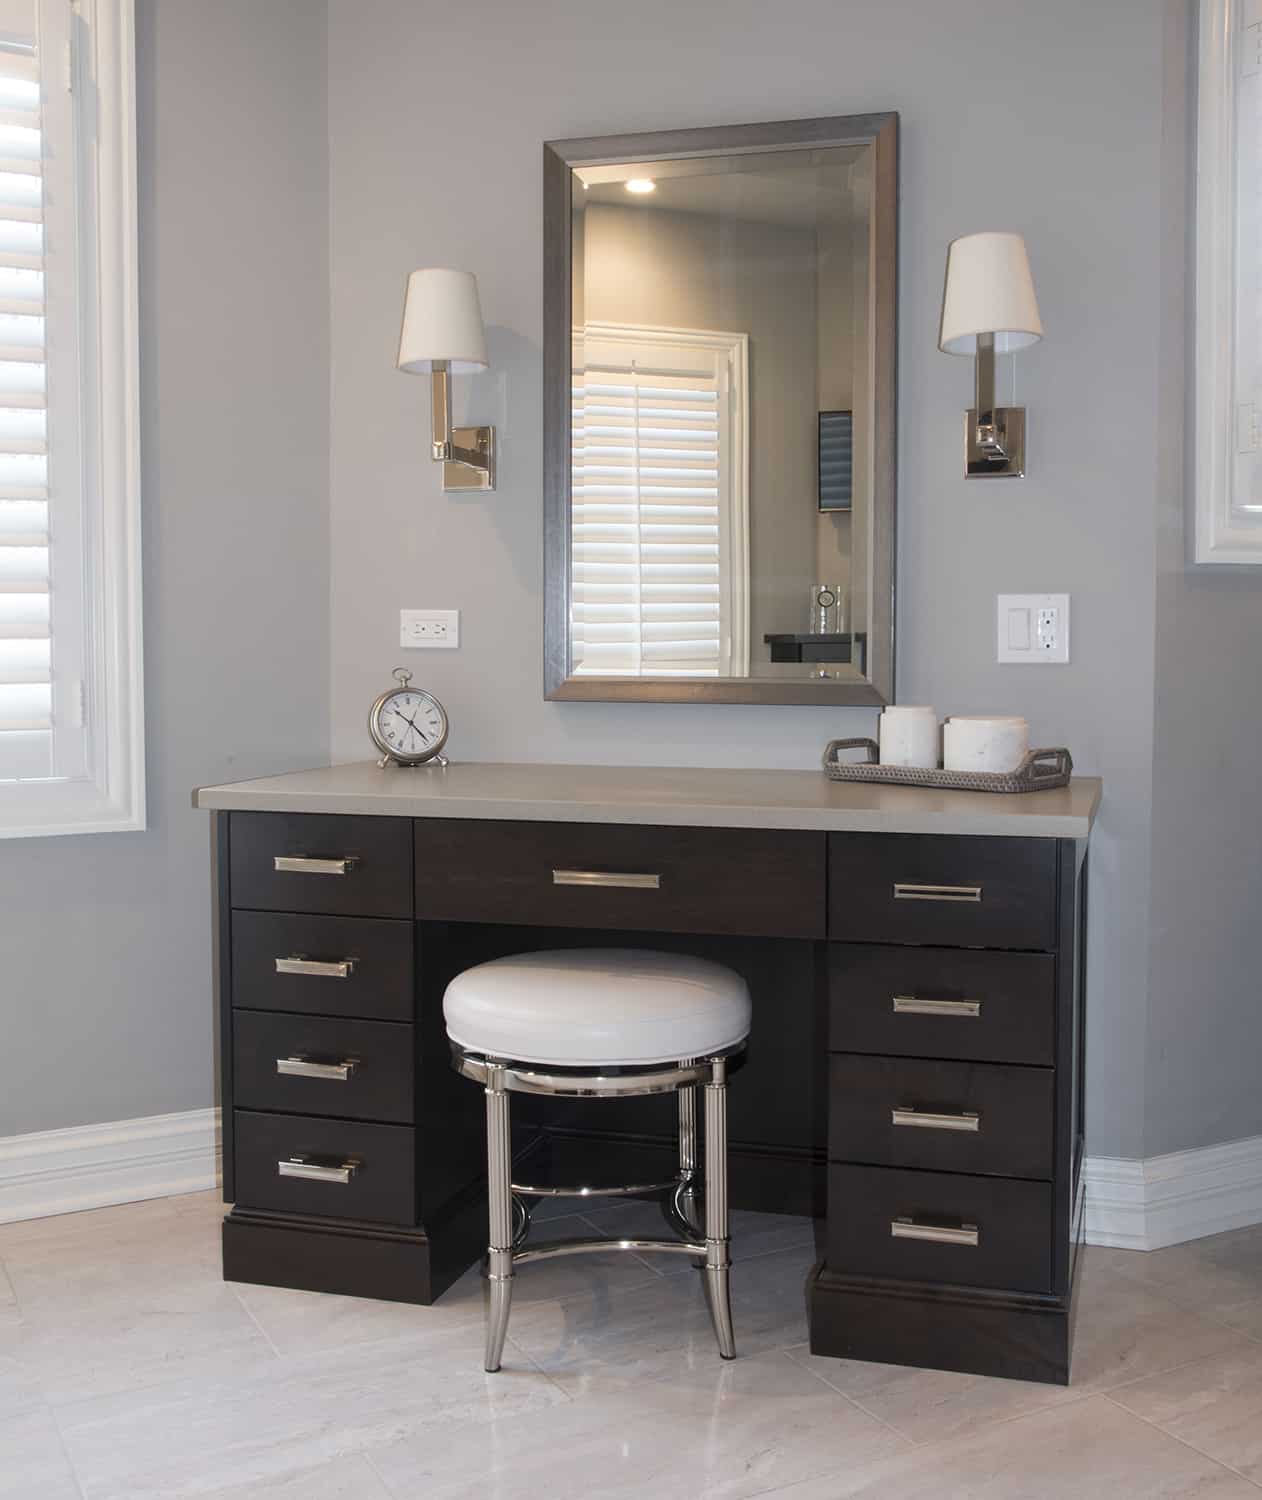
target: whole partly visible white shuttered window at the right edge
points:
(1230, 284)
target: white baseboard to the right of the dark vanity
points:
(1165, 1201)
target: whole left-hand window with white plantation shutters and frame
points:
(71, 752)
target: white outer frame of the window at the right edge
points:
(1224, 535)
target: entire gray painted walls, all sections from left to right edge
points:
(106, 941)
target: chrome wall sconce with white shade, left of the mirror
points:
(442, 335)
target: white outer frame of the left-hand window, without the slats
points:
(109, 796)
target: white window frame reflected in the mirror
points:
(733, 349)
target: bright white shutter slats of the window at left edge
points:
(26, 710)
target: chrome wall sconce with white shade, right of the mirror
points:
(988, 310)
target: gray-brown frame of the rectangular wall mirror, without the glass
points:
(560, 158)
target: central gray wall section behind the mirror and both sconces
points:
(436, 121)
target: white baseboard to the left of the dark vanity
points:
(92, 1166)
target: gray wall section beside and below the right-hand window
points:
(1206, 1000)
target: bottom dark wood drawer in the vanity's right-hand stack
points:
(937, 1226)
